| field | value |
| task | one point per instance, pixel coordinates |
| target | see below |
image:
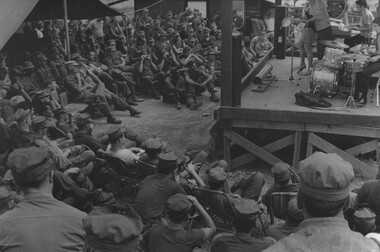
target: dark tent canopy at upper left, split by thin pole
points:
(76, 9)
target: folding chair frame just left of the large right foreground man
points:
(279, 203)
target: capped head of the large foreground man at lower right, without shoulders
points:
(324, 184)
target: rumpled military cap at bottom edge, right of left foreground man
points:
(113, 228)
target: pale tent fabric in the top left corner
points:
(12, 14)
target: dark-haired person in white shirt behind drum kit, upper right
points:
(365, 28)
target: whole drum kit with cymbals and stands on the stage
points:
(337, 71)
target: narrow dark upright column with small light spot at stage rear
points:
(279, 32)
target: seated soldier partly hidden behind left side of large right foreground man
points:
(294, 217)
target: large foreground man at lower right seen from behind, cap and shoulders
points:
(324, 187)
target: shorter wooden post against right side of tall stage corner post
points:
(236, 69)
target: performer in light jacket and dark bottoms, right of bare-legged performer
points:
(321, 19)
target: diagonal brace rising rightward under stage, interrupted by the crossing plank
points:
(272, 147)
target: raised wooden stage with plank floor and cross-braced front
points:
(275, 109)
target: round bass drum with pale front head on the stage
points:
(324, 80)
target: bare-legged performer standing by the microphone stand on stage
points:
(309, 36)
